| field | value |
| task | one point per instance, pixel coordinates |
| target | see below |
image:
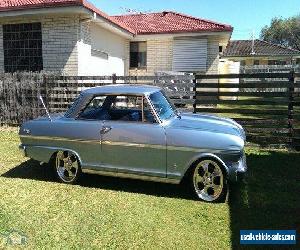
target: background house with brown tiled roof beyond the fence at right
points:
(258, 52)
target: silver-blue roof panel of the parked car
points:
(126, 89)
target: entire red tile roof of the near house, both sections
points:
(152, 23)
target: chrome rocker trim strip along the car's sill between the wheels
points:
(131, 176)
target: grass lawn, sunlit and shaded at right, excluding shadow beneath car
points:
(112, 213)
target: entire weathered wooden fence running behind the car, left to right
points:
(266, 104)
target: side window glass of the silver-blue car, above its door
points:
(118, 108)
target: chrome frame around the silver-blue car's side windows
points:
(156, 121)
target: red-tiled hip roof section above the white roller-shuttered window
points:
(169, 22)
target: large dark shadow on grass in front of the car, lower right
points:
(269, 198)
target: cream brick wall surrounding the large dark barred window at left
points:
(60, 36)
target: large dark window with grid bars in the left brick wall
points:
(22, 44)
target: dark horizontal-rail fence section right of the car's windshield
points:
(266, 104)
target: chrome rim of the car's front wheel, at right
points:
(208, 180)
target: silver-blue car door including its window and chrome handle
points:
(135, 146)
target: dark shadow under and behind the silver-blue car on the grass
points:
(33, 170)
